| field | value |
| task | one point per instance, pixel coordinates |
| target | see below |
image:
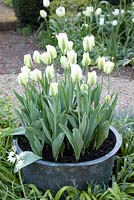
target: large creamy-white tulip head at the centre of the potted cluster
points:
(76, 73)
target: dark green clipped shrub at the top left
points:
(28, 11)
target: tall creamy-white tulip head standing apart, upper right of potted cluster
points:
(88, 43)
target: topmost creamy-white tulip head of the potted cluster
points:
(62, 41)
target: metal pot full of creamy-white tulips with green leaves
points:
(66, 137)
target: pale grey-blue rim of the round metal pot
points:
(91, 162)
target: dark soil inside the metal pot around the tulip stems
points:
(68, 155)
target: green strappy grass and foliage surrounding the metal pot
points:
(122, 185)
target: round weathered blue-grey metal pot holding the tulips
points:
(51, 175)
